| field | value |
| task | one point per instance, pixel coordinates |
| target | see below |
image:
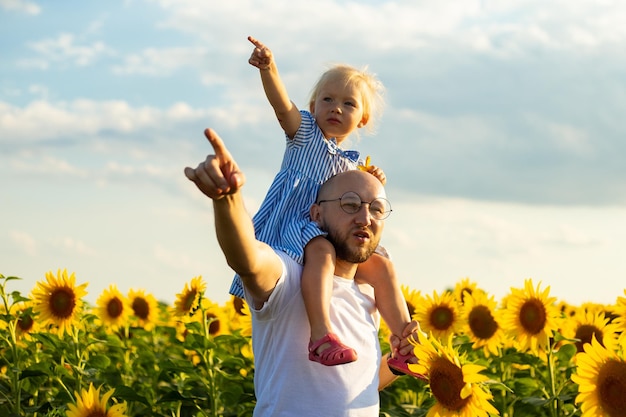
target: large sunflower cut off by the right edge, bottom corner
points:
(601, 379)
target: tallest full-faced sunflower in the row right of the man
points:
(531, 317)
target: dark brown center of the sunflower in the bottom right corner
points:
(611, 387)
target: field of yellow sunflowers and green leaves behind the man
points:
(528, 354)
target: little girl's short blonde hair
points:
(372, 90)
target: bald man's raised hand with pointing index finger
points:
(219, 174)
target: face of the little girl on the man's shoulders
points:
(338, 110)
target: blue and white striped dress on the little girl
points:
(283, 220)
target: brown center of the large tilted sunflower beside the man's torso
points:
(446, 383)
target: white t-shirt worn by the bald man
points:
(286, 382)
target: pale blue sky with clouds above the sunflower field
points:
(502, 137)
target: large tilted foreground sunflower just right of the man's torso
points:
(458, 389)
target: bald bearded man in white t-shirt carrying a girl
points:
(286, 382)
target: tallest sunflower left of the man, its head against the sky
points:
(58, 301)
